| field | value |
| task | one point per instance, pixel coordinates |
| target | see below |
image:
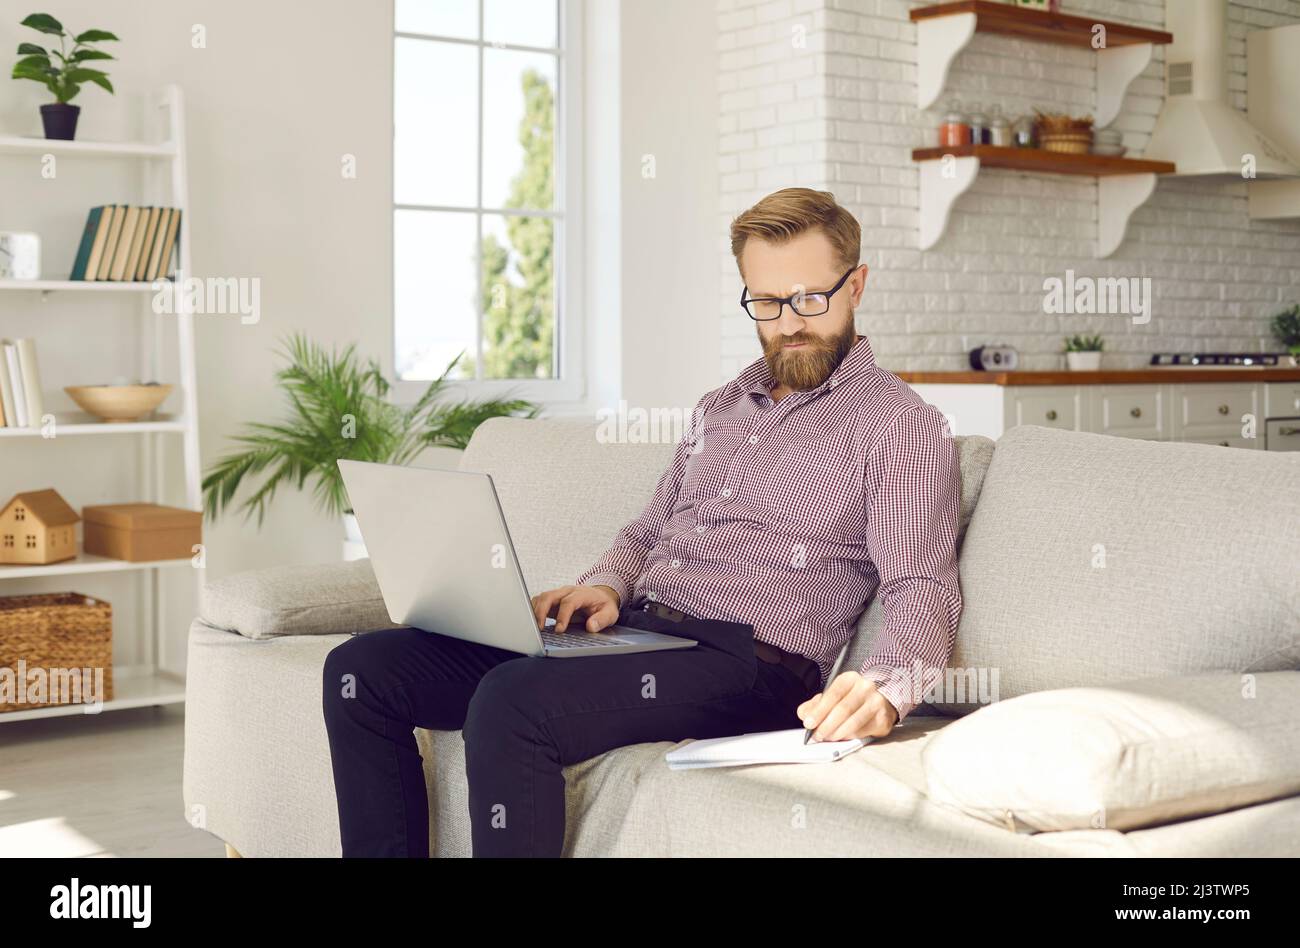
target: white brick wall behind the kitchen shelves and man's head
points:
(822, 94)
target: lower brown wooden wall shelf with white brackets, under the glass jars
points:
(1124, 185)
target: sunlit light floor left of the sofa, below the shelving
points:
(106, 785)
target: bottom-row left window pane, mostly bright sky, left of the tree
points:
(434, 296)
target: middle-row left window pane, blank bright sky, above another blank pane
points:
(435, 123)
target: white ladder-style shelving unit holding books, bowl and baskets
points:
(137, 686)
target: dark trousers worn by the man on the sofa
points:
(525, 718)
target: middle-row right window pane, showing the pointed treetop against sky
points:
(519, 129)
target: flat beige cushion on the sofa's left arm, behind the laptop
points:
(314, 600)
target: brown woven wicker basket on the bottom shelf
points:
(50, 634)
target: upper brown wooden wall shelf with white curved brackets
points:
(944, 31)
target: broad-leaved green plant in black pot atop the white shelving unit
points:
(62, 71)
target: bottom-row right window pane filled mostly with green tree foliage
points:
(519, 297)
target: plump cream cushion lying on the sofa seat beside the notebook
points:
(1124, 756)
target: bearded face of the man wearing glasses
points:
(803, 352)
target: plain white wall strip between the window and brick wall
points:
(671, 331)
